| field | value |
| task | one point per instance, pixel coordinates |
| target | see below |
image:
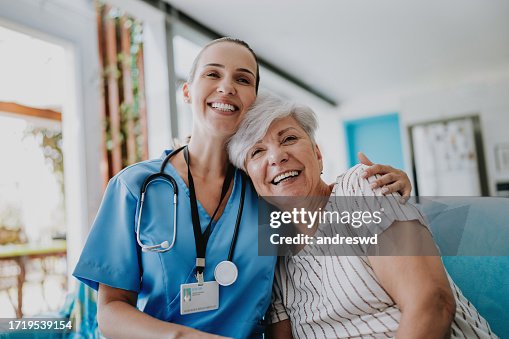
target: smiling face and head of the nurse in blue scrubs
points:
(223, 88)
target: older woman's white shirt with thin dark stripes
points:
(341, 297)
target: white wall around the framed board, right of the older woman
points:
(485, 94)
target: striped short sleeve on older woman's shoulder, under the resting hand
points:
(351, 184)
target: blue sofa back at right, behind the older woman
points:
(473, 234)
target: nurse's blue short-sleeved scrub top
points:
(112, 256)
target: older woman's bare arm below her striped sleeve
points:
(418, 284)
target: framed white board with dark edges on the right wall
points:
(448, 157)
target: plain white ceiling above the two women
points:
(347, 48)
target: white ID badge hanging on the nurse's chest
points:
(195, 298)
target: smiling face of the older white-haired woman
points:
(285, 162)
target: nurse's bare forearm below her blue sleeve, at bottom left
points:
(118, 317)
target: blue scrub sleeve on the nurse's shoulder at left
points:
(110, 255)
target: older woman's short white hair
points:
(266, 109)
